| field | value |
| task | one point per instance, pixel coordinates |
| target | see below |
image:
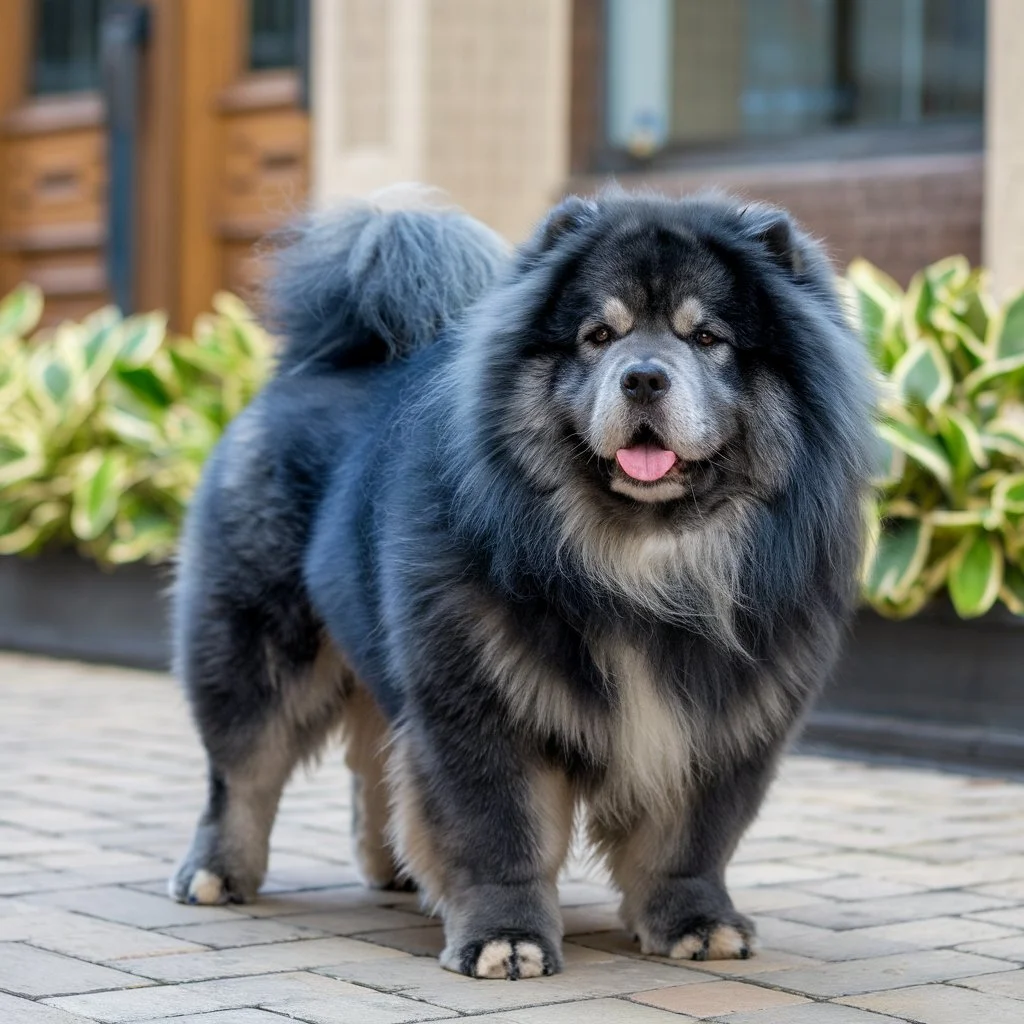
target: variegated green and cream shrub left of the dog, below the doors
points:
(105, 425)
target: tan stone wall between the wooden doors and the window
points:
(470, 96)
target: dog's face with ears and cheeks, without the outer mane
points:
(646, 372)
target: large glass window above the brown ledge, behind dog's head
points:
(692, 73)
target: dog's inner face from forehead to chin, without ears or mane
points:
(653, 388)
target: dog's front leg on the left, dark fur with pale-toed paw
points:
(484, 827)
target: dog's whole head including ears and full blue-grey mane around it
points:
(671, 354)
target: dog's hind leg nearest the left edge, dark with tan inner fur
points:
(260, 715)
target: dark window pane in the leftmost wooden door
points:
(66, 49)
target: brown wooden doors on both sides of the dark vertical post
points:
(223, 149)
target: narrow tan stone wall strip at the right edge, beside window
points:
(1005, 145)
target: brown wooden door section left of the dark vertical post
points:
(53, 156)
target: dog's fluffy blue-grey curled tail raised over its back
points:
(376, 281)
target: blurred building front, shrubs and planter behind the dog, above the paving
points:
(149, 148)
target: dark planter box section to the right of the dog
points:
(933, 687)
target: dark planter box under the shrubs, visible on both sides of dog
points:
(934, 688)
